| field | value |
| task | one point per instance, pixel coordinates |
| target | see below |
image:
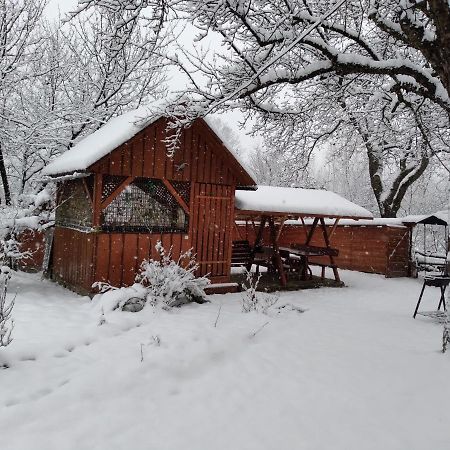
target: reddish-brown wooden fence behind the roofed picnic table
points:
(377, 249)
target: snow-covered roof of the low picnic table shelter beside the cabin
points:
(297, 201)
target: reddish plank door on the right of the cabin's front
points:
(212, 219)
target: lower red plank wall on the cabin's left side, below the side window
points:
(73, 253)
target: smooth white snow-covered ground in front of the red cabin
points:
(354, 371)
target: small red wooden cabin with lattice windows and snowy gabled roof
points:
(119, 193)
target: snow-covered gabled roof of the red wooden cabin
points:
(111, 135)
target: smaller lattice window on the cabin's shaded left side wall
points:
(74, 204)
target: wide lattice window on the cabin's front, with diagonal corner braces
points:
(145, 205)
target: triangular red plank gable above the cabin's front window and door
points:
(201, 157)
